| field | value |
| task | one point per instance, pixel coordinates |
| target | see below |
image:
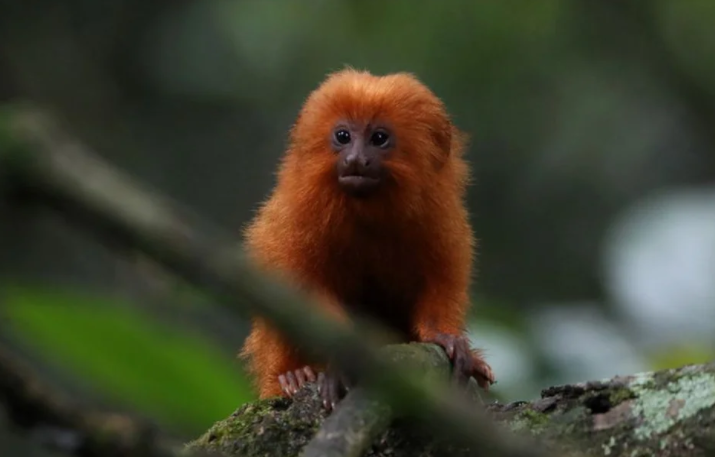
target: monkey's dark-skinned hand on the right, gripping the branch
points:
(466, 362)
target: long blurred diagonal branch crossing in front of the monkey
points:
(54, 169)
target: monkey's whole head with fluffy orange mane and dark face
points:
(382, 142)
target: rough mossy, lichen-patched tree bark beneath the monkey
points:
(666, 413)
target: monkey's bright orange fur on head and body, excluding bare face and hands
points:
(412, 246)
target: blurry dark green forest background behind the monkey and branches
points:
(593, 139)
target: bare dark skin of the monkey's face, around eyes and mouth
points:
(361, 149)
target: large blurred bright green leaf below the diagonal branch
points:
(178, 378)
